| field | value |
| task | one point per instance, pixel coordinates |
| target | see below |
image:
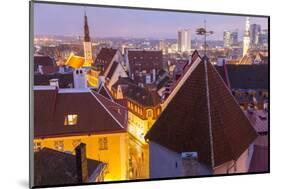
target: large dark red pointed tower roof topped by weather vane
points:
(203, 117)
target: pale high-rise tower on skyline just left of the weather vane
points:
(184, 40)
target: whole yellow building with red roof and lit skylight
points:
(67, 117)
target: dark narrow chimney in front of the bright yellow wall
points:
(81, 163)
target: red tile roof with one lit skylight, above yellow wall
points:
(96, 114)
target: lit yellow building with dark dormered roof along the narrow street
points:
(143, 106)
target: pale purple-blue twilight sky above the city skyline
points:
(54, 19)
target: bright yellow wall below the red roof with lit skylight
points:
(111, 149)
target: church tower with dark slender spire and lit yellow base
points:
(87, 44)
